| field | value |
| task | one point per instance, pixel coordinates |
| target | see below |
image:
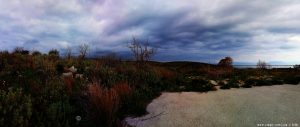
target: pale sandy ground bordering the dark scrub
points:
(244, 107)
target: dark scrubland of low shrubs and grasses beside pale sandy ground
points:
(48, 90)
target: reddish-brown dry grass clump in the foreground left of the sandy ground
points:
(104, 103)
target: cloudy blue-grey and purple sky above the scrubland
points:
(186, 30)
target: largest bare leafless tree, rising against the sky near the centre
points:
(141, 52)
